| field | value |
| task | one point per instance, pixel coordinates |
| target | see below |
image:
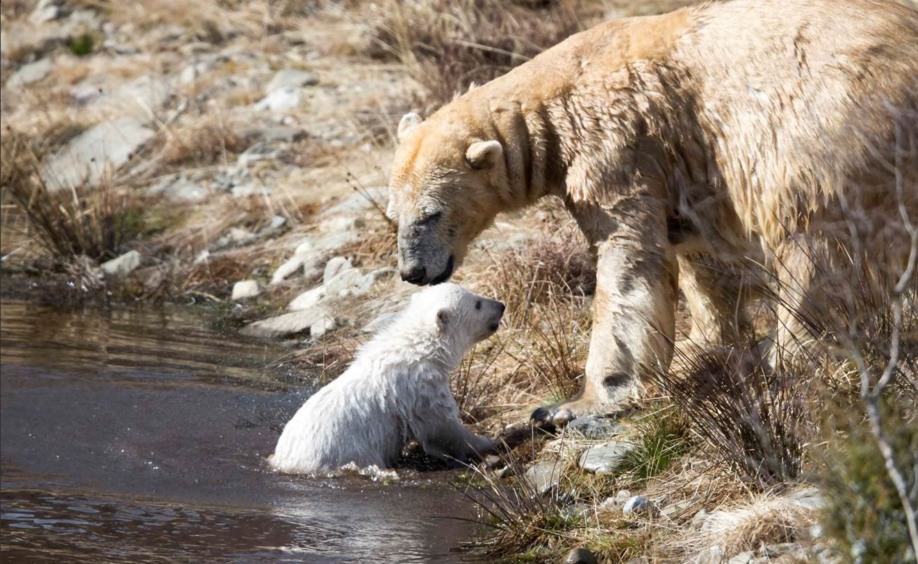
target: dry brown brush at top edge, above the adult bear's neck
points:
(447, 46)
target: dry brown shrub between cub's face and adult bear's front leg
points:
(549, 269)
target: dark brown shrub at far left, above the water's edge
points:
(94, 221)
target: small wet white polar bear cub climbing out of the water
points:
(396, 390)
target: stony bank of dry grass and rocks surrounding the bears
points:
(247, 148)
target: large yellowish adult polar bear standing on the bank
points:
(746, 130)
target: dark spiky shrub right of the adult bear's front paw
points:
(750, 415)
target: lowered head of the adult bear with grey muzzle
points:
(444, 191)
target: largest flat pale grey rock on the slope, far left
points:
(85, 157)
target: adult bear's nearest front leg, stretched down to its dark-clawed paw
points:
(634, 306)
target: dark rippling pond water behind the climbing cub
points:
(140, 437)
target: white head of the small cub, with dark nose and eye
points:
(457, 314)
